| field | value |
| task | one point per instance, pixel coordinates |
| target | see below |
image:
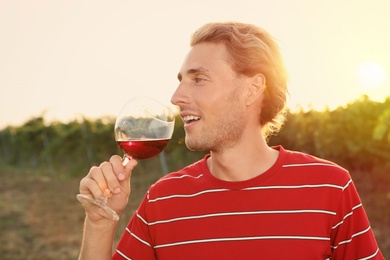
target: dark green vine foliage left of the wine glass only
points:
(72, 147)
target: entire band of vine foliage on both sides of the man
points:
(357, 136)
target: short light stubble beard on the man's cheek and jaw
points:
(225, 131)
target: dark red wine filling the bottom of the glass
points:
(143, 149)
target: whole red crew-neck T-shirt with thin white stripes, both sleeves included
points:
(301, 208)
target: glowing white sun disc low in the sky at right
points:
(370, 75)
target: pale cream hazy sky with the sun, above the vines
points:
(68, 59)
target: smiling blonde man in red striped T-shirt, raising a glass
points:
(245, 200)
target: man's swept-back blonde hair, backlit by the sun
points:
(253, 50)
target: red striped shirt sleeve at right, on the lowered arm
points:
(351, 234)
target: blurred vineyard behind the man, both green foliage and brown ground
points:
(41, 164)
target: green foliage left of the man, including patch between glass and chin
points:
(73, 147)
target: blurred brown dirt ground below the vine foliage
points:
(40, 217)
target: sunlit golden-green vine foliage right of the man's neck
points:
(357, 136)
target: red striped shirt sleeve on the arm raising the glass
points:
(135, 242)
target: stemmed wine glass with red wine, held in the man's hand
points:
(143, 129)
